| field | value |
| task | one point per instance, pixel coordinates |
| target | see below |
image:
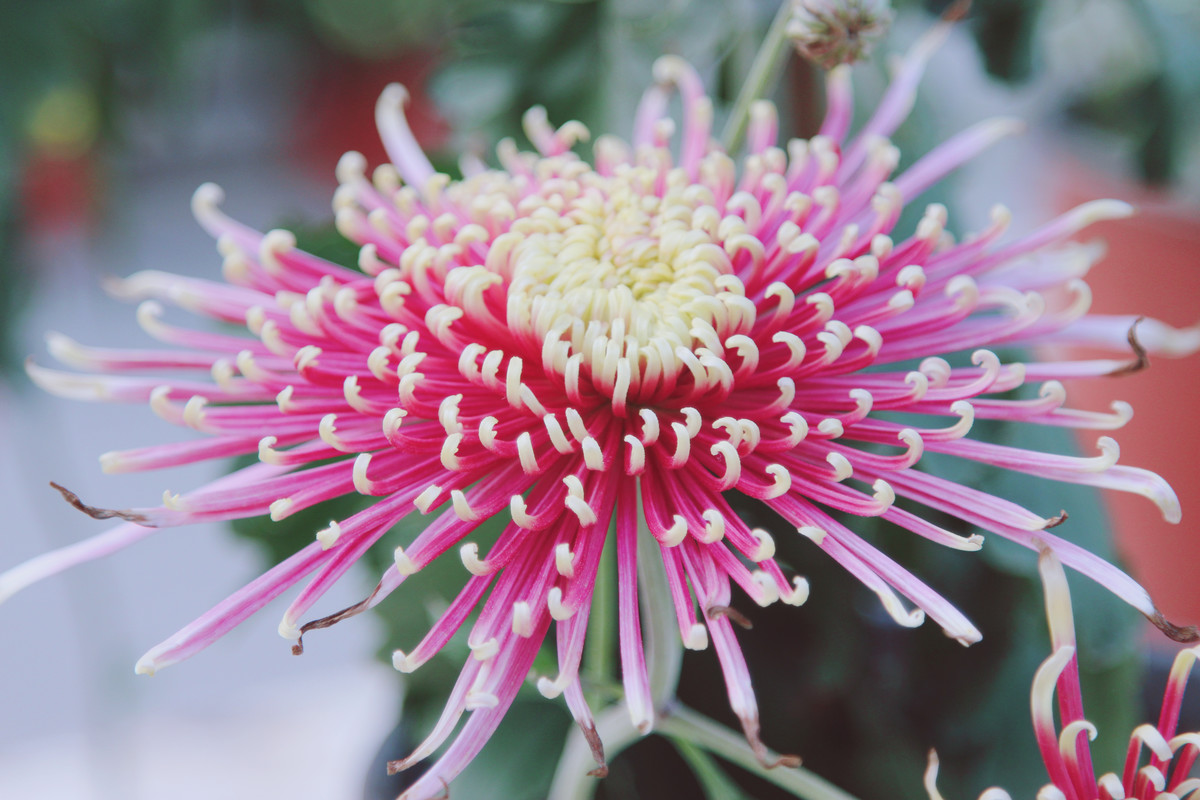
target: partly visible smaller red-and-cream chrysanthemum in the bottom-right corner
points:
(1159, 761)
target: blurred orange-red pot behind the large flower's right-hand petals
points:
(1153, 267)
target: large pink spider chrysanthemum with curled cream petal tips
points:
(605, 350)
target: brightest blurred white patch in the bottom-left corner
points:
(303, 736)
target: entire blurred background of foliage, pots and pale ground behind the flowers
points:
(113, 111)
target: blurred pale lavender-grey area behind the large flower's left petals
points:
(245, 719)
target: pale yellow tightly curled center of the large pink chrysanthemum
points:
(607, 269)
